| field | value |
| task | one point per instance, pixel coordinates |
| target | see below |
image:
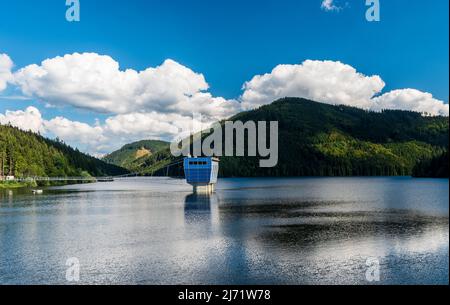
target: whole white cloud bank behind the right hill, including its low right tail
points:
(335, 83)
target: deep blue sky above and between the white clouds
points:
(230, 42)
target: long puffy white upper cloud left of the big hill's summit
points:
(95, 82)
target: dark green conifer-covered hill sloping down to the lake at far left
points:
(25, 154)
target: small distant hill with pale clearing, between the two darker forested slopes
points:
(127, 156)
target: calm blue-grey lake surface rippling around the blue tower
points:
(251, 231)
